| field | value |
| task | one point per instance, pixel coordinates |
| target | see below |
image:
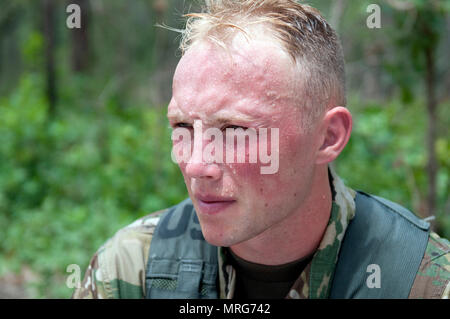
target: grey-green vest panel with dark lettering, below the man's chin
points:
(181, 263)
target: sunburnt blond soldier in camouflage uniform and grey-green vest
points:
(298, 232)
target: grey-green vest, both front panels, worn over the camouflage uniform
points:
(182, 264)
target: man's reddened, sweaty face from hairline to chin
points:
(254, 87)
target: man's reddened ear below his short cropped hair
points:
(336, 129)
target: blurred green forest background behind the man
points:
(85, 144)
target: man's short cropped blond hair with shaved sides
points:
(300, 29)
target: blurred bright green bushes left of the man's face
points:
(68, 183)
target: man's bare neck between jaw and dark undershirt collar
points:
(296, 236)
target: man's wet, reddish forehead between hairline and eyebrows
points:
(216, 82)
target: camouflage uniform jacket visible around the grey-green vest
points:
(118, 268)
